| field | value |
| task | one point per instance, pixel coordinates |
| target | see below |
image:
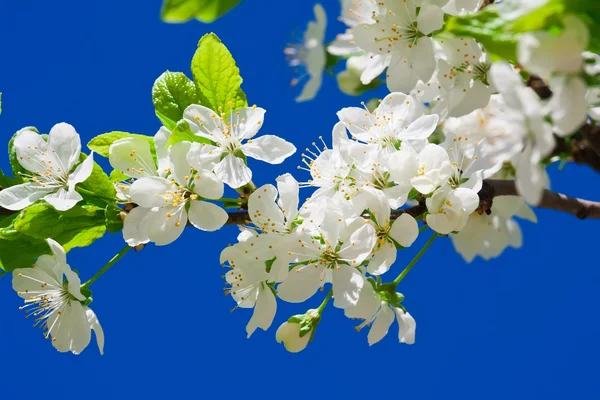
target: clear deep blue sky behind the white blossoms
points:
(522, 326)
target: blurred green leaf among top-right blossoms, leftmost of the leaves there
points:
(488, 29)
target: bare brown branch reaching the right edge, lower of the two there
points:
(580, 208)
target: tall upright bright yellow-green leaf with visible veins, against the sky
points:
(216, 75)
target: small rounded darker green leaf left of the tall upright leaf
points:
(172, 93)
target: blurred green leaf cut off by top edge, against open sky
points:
(177, 11)
